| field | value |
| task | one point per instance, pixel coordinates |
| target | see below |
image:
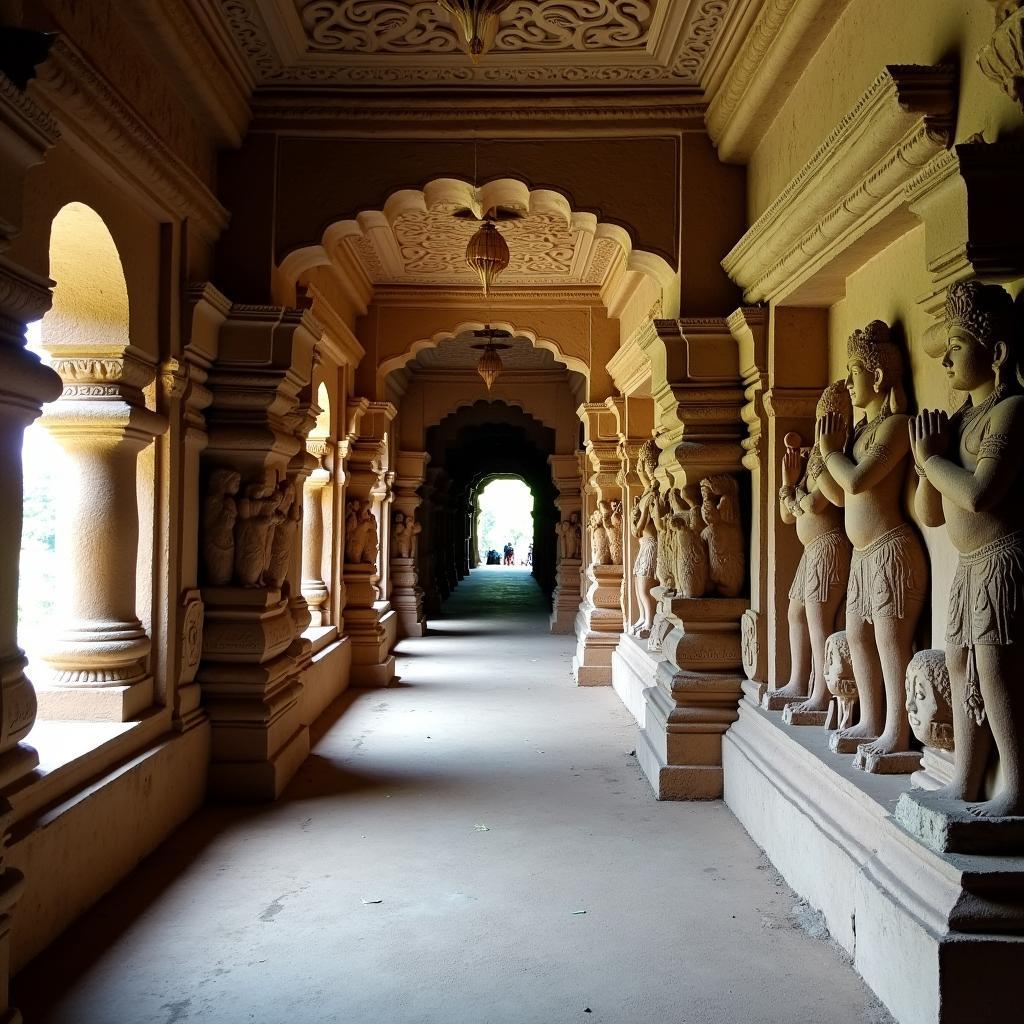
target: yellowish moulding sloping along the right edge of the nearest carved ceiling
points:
(778, 48)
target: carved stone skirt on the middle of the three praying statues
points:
(886, 575)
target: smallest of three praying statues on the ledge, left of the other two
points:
(820, 585)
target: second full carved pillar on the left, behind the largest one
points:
(370, 622)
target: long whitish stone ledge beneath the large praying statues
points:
(938, 937)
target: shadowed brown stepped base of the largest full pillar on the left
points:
(251, 689)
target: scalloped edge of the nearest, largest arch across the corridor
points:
(456, 194)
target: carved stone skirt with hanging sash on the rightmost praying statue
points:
(987, 606)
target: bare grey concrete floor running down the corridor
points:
(474, 846)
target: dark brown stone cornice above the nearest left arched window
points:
(92, 112)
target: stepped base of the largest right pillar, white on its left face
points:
(695, 699)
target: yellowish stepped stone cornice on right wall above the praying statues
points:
(856, 180)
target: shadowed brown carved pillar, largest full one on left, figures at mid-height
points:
(249, 675)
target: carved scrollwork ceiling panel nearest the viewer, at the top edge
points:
(328, 44)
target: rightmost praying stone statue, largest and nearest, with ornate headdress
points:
(971, 480)
